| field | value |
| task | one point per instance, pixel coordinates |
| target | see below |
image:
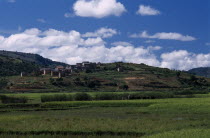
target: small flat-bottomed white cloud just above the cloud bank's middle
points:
(102, 32)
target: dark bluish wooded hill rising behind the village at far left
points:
(13, 63)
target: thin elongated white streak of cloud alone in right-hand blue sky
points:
(164, 35)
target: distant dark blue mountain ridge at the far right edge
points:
(203, 71)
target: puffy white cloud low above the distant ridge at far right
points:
(184, 60)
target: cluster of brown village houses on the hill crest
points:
(61, 71)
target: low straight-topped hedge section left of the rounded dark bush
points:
(56, 97)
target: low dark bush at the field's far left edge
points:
(11, 99)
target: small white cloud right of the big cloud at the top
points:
(147, 11)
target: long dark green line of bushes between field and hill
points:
(121, 96)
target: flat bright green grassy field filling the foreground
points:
(159, 118)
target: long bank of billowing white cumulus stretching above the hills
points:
(71, 47)
